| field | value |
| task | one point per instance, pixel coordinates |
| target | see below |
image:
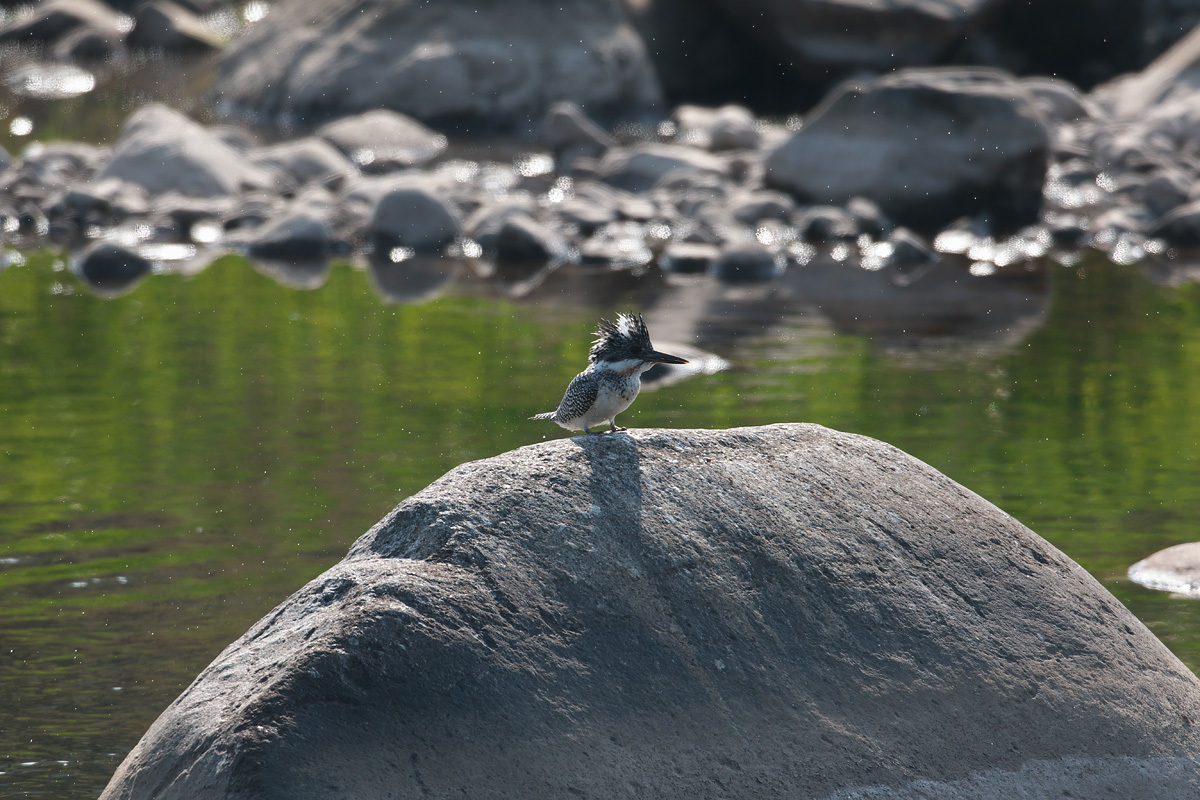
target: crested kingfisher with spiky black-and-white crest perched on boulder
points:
(616, 363)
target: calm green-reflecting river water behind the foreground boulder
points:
(177, 461)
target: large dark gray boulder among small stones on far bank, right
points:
(927, 146)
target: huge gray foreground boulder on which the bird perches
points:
(761, 612)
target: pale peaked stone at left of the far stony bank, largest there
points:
(165, 152)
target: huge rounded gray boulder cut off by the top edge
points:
(481, 63)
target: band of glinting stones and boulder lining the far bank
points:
(868, 179)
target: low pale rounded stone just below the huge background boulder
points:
(383, 141)
